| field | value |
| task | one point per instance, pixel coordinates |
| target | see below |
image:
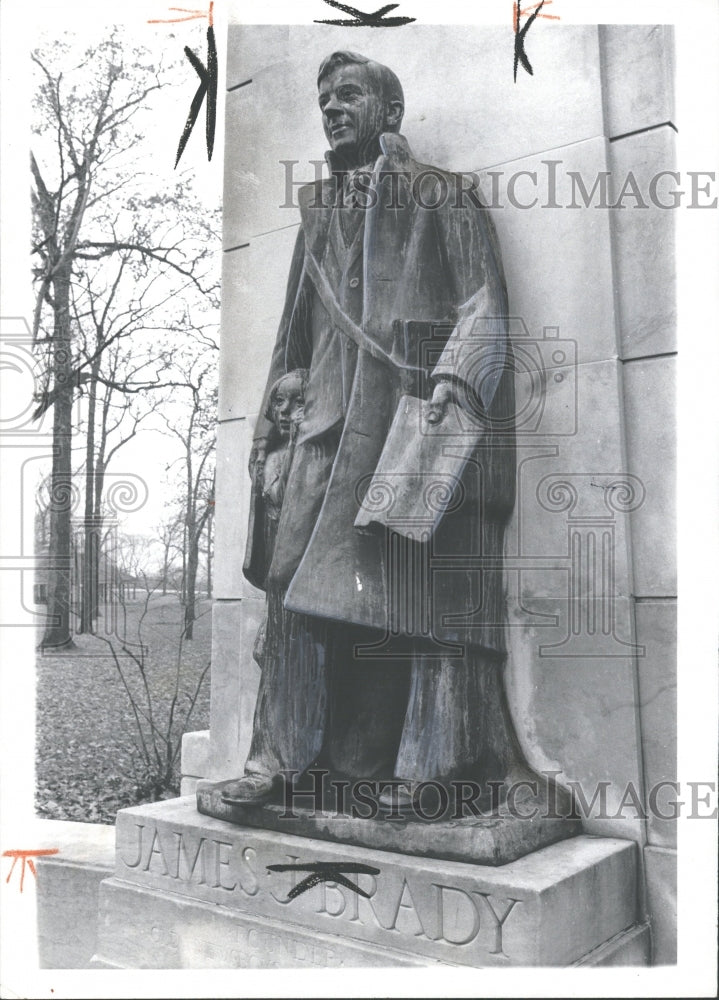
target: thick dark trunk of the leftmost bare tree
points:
(57, 632)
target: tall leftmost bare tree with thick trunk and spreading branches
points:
(88, 211)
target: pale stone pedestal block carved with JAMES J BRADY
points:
(191, 891)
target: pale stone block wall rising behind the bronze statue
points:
(590, 554)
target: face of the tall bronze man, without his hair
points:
(353, 112)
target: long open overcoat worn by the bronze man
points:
(434, 303)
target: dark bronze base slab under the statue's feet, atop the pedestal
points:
(534, 821)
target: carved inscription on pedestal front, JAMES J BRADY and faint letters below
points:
(398, 906)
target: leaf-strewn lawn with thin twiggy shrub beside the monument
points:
(88, 760)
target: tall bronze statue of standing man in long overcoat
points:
(395, 292)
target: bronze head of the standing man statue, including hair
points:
(359, 99)
